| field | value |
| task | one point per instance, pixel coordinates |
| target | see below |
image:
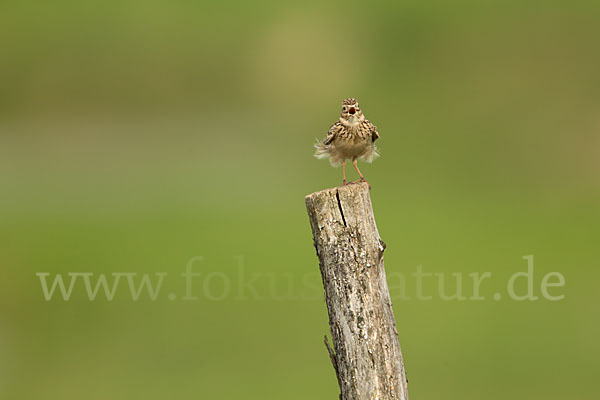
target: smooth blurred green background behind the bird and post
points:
(137, 135)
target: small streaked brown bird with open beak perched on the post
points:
(352, 136)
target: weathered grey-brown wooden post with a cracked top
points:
(367, 358)
